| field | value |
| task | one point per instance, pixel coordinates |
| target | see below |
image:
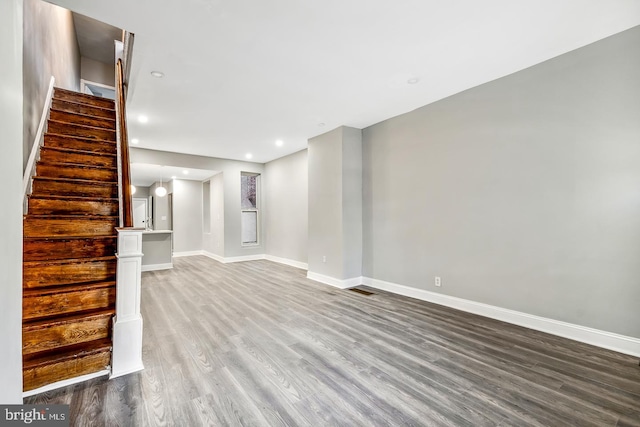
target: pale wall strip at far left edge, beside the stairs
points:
(11, 193)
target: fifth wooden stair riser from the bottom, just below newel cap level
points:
(40, 250)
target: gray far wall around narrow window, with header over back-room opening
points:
(231, 170)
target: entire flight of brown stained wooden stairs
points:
(70, 243)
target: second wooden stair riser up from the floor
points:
(57, 334)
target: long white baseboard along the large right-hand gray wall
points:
(608, 340)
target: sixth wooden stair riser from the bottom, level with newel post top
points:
(40, 227)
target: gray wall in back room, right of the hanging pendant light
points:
(187, 215)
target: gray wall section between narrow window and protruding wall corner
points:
(286, 219)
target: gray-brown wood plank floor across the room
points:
(256, 343)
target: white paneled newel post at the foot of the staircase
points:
(127, 323)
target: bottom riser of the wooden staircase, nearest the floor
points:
(42, 375)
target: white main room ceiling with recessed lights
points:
(241, 74)
